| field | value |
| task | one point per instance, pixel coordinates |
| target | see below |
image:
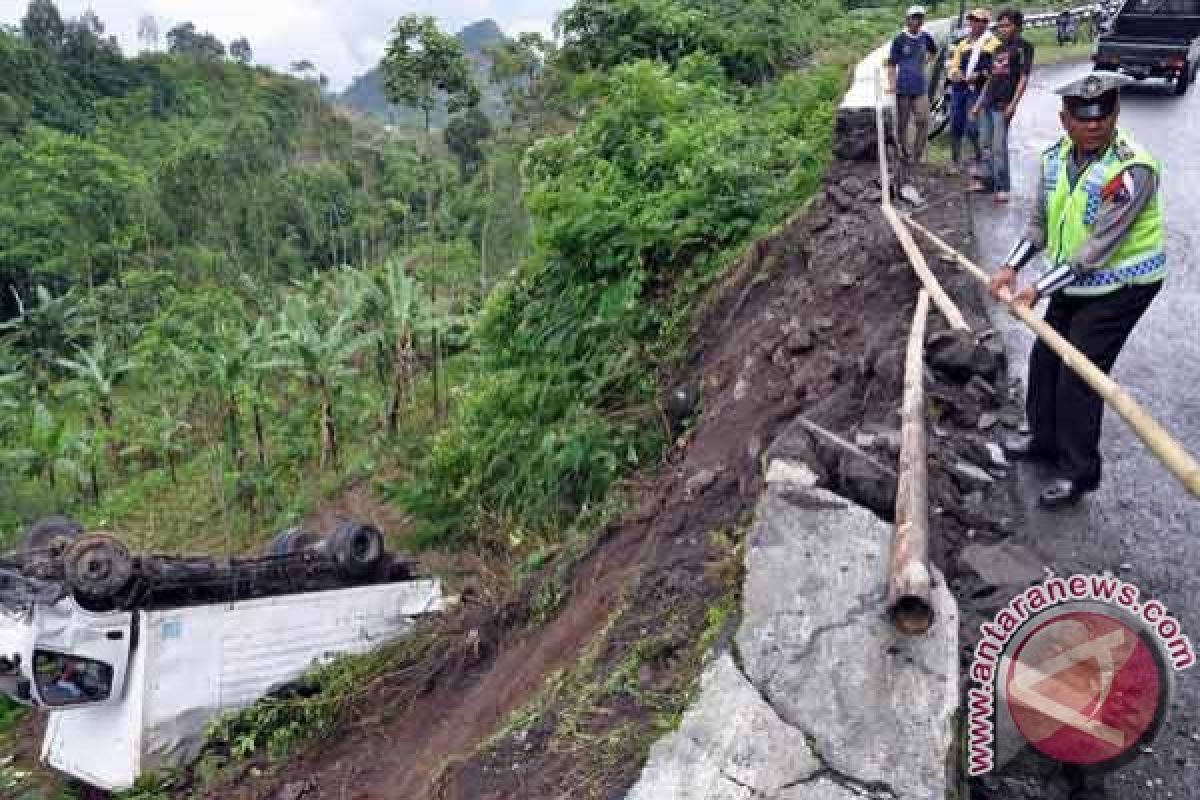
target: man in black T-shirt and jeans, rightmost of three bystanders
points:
(1012, 63)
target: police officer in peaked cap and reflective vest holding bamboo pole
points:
(1100, 221)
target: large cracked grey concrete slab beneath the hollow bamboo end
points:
(825, 701)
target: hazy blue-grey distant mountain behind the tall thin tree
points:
(367, 95)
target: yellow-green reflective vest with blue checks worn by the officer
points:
(1071, 218)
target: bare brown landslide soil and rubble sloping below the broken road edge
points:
(812, 322)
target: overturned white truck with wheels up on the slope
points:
(133, 657)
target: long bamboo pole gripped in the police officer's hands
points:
(1165, 447)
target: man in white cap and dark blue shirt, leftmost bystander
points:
(913, 50)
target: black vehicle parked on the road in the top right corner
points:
(1154, 39)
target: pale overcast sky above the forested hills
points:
(343, 38)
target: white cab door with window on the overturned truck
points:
(80, 659)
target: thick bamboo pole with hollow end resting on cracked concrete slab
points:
(910, 586)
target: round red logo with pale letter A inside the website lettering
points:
(1087, 687)
